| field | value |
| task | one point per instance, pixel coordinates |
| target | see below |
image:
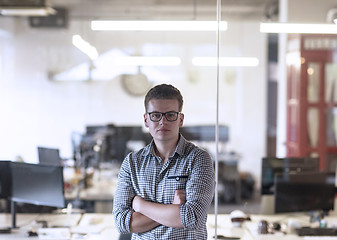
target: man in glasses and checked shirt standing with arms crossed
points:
(165, 189)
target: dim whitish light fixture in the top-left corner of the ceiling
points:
(27, 11)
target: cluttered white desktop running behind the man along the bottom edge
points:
(101, 226)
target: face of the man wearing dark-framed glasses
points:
(163, 130)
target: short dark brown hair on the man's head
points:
(164, 91)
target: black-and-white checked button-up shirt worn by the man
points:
(144, 174)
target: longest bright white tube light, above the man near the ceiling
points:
(107, 25)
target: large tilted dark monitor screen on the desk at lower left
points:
(37, 184)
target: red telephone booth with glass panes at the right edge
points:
(312, 98)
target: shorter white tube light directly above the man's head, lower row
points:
(147, 61)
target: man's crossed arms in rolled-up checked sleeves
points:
(133, 213)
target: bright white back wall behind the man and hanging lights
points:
(36, 111)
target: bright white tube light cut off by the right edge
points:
(298, 28)
